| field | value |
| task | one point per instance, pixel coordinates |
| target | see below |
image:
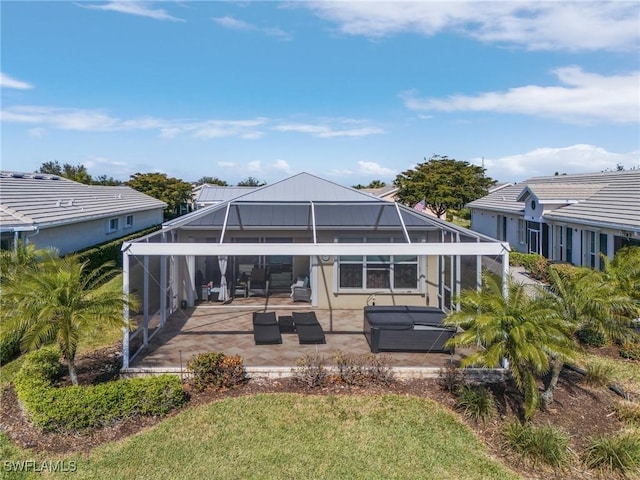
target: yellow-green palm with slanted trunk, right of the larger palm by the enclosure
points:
(587, 299)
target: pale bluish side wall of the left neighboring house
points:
(77, 236)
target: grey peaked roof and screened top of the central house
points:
(305, 202)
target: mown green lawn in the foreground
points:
(293, 436)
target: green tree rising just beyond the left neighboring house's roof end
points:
(174, 192)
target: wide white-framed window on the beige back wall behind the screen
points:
(377, 272)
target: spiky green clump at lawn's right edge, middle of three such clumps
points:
(536, 444)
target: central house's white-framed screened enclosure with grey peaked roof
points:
(345, 246)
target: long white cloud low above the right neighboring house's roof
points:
(580, 158)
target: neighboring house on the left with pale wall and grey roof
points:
(50, 211)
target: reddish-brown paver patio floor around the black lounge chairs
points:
(211, 326)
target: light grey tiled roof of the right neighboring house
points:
(606, 198)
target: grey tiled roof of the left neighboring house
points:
(33, 199)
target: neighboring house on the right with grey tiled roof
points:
(569, 218)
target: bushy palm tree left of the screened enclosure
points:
(57, 299)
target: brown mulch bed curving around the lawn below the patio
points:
(581, 411)
